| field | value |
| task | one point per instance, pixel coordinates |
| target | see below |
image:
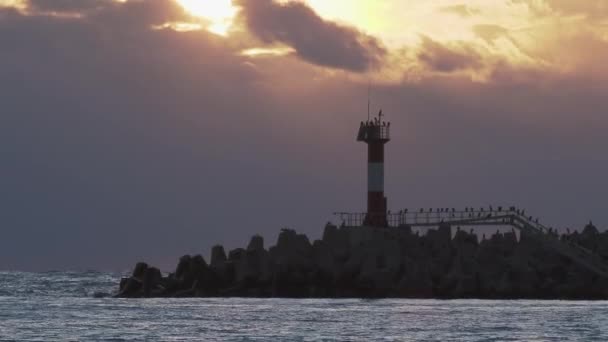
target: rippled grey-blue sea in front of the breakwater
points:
(74, 306)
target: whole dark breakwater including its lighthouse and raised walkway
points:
(377, 254)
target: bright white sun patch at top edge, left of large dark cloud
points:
(219, 12)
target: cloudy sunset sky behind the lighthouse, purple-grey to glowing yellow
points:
(148, 129)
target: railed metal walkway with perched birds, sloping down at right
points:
(490, 217)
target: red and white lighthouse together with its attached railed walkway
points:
(376, 134)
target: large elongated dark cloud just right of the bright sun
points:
(314, 39)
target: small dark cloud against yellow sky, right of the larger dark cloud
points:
(442, 58)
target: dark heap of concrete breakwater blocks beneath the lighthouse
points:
(366, 262)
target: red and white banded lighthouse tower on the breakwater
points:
(375, 133)
